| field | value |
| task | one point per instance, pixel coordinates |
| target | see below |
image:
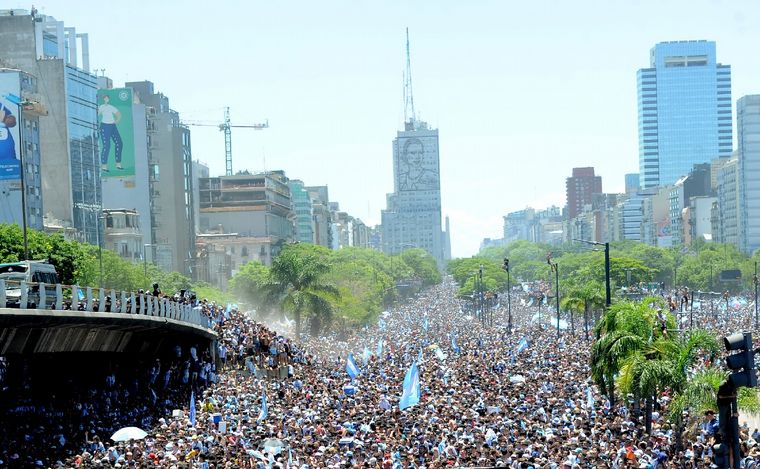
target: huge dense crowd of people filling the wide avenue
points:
(490, 397)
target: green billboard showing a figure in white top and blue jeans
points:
(117, 146)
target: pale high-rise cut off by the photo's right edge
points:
(748, 128)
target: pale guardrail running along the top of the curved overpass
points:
(43, 296)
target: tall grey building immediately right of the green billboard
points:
(170, 182)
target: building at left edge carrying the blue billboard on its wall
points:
(20, 110)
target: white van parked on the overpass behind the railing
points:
(33, 273)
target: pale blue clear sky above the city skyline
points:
(521, 92)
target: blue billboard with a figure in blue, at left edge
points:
(10, 141)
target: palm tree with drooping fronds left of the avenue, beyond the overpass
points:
(295, 283)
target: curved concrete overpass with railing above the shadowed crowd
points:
(139, 324)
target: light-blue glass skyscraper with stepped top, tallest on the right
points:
(684, 101)
